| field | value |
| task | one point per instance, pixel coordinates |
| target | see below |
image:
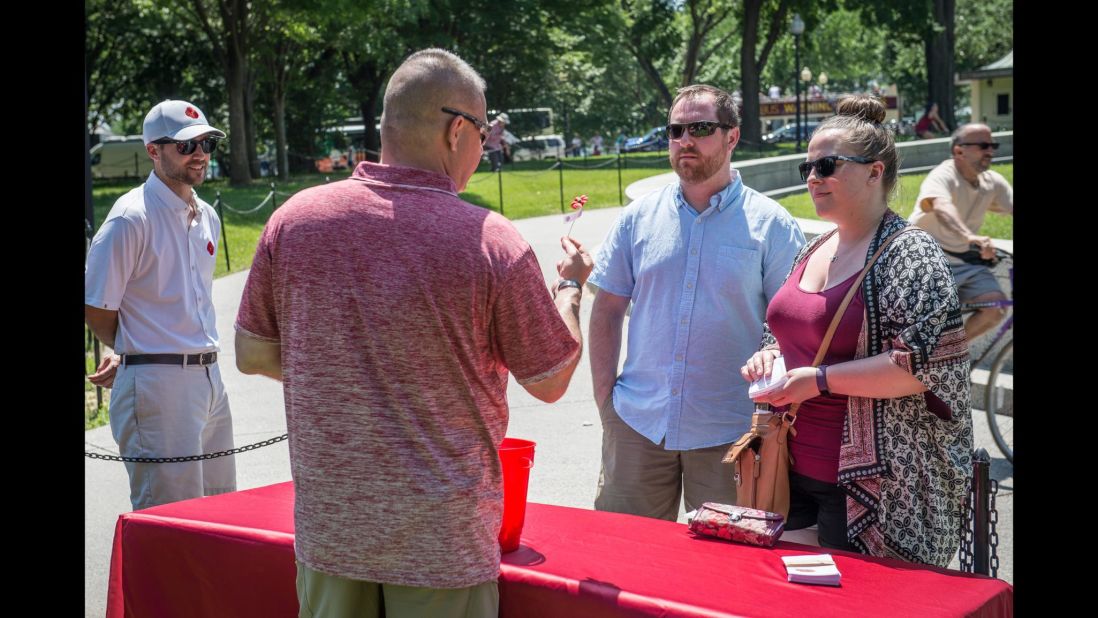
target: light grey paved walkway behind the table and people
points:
(568, 433)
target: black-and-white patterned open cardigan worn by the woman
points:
(906, 471)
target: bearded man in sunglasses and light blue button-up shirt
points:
(700, 260)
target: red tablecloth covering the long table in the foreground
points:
(233, 556)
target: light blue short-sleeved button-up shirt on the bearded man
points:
(700, 285)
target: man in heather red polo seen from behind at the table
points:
(394, 312)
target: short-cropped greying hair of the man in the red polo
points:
(427, 82)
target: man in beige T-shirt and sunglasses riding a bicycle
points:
(951, 206)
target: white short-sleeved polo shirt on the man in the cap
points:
(156, 269)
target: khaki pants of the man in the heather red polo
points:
(321, 595)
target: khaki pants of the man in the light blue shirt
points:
(641, 478)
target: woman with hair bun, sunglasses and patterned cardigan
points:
(882, 451)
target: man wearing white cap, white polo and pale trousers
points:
(148, 296)
